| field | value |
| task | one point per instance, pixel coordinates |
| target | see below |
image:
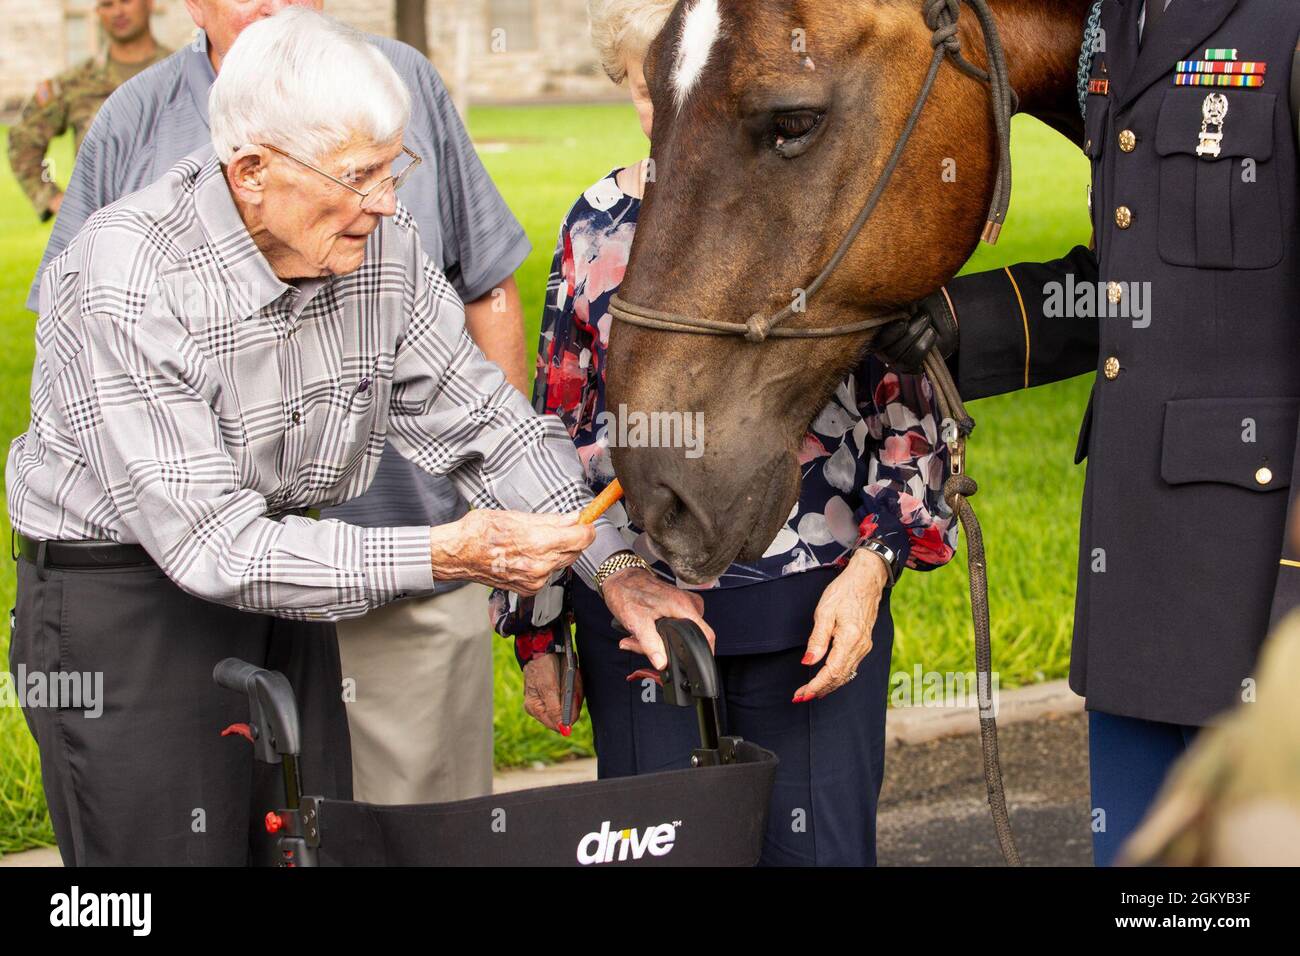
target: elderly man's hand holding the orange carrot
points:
(508, 550)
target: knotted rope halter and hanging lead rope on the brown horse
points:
(942, 18)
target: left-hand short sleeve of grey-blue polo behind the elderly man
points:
(96, 181)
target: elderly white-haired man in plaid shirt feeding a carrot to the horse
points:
(216, 353)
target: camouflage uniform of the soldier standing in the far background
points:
(71, 100)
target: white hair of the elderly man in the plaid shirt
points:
(306, 84)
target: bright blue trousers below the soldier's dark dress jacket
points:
(1128, 759)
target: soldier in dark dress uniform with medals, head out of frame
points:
(1190, 124)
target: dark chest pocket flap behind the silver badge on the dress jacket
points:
(1247, 124)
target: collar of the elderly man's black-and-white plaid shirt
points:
(249, 280)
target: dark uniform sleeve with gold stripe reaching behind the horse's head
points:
(1011, 339)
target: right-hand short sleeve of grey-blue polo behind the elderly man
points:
(483, 241)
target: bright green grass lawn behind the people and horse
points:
(543, 158)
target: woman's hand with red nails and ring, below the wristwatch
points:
(844, 620)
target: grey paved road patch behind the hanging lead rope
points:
(934, 811)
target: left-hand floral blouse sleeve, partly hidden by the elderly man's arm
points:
(541, 625)
